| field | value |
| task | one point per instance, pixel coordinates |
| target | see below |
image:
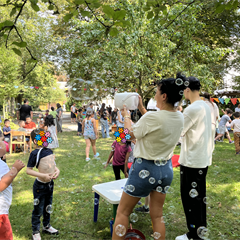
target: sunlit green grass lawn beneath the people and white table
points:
(73, 199)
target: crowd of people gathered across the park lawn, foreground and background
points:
(150, 150)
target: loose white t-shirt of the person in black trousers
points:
(197, 141)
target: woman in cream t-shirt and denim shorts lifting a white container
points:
(157, 133)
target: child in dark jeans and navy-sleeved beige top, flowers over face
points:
(43, 159)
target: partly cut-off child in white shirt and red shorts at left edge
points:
(6, 178)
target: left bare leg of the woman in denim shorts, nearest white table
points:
(125, 208)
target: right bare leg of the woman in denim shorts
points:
(156, 212)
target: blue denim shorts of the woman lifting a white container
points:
(148, 175)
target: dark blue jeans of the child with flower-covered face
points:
(44, 193)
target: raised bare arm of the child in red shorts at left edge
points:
(8, 178)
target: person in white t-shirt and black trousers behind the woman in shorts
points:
(195, 157)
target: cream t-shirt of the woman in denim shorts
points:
(157, 133)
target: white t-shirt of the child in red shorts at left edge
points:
(5, 195)
